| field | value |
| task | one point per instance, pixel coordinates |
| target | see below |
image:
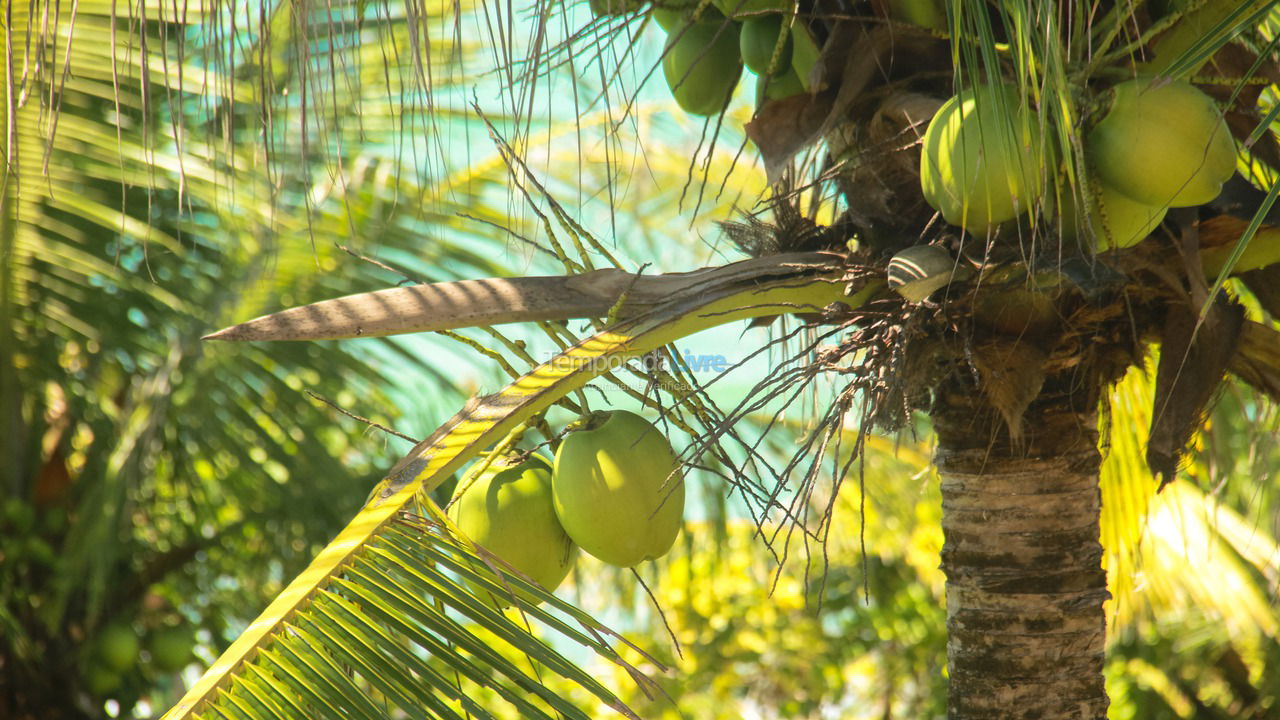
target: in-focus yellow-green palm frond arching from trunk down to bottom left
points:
(378, 557)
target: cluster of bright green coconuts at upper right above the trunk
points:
(1160, 144)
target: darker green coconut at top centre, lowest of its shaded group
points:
(702, 66)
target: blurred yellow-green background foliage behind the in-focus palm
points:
(170, 176)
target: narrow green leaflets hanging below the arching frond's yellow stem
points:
(404, 616)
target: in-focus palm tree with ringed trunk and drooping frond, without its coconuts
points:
(1011, 361)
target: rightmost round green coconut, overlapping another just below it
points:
(1164, 144)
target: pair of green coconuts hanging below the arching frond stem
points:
(615, 490)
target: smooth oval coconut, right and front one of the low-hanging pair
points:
(619, 490)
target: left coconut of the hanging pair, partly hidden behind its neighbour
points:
(509, 512)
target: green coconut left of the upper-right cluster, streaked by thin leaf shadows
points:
(981, 161)
